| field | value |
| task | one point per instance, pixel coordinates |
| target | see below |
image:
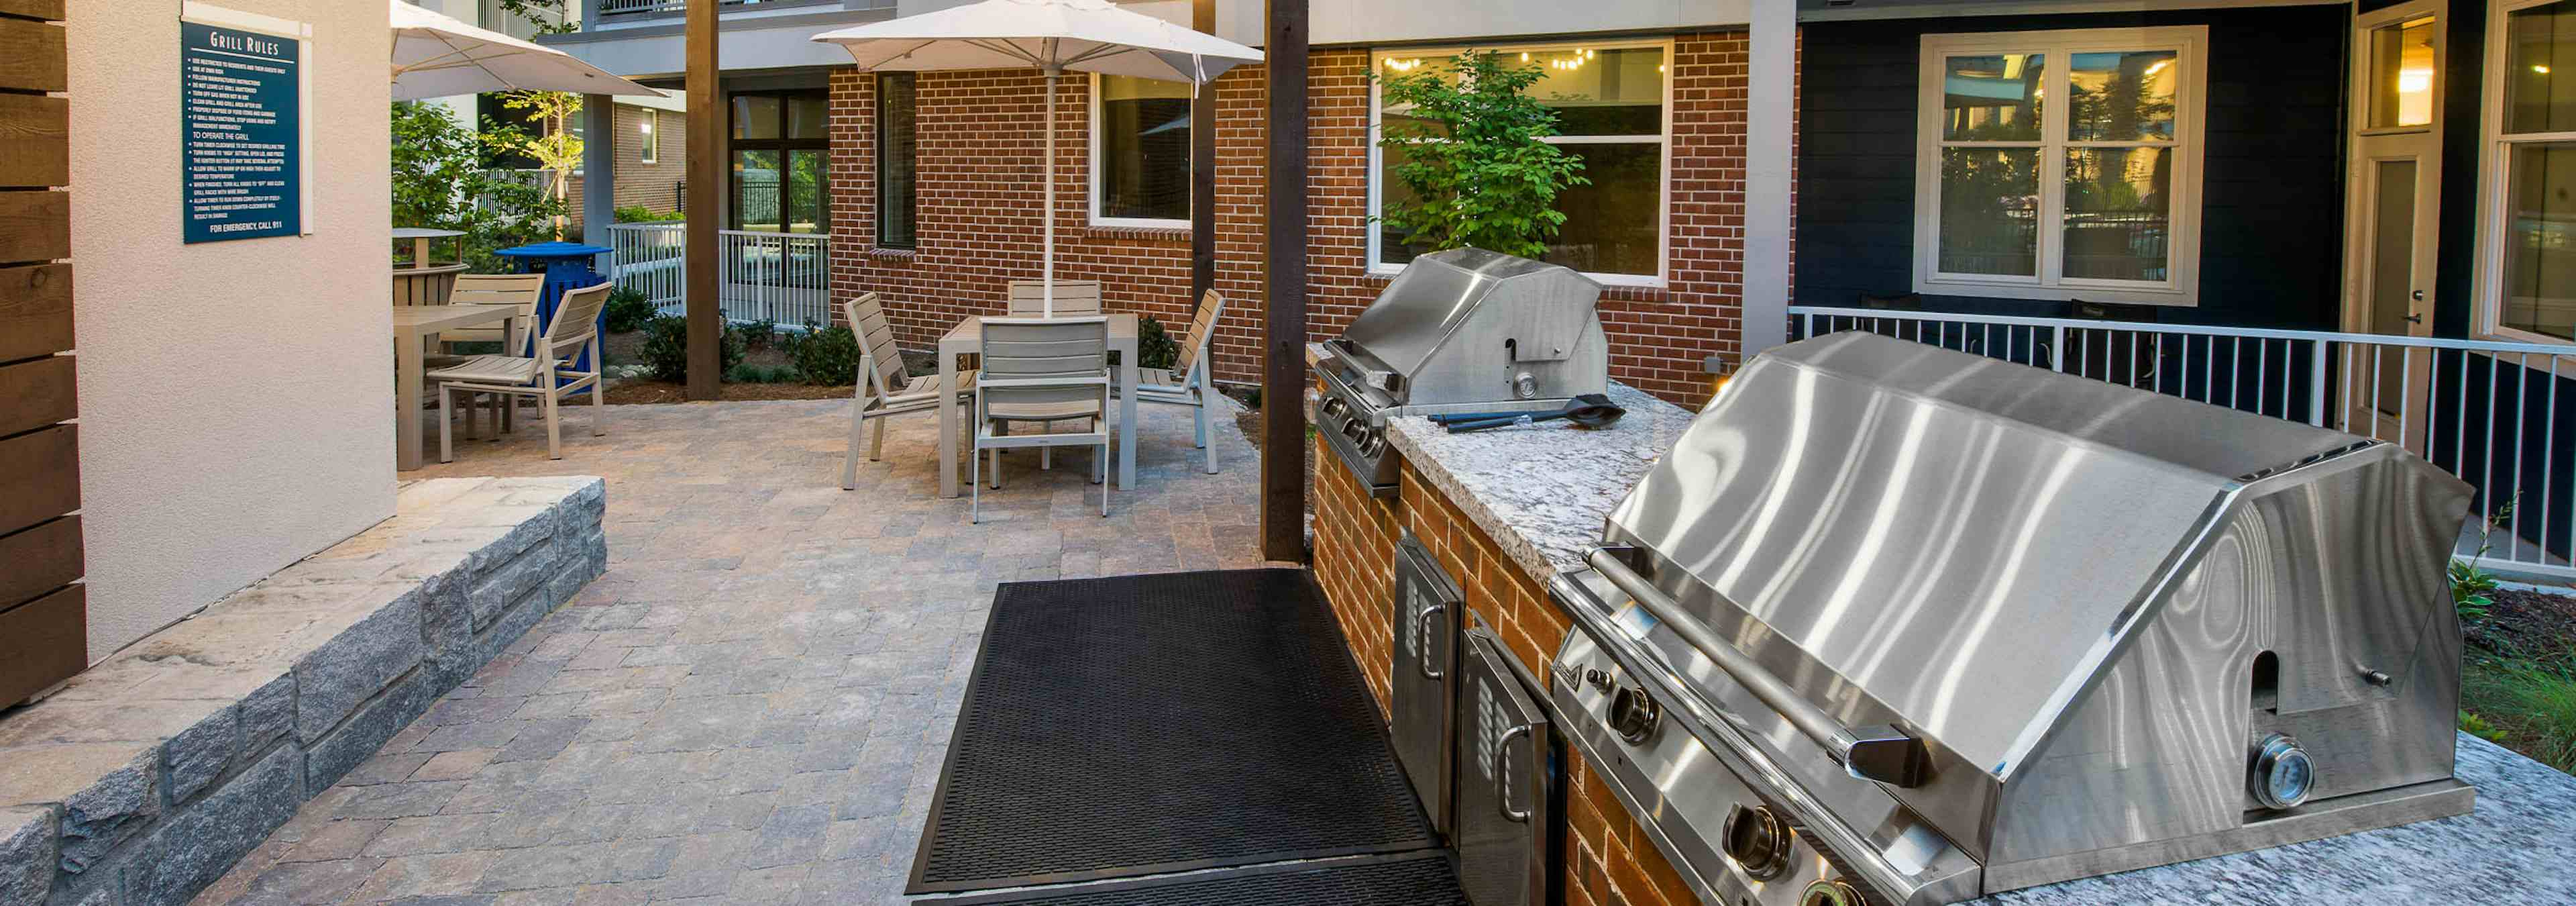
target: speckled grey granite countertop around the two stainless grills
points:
(1542, 493)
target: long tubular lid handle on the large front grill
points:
(1869, 753)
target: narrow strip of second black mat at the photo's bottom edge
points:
(1377, 882)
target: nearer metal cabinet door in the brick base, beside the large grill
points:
(1506, 779)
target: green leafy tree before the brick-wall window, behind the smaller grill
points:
(1472, 158)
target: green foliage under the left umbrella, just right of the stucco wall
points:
(447, 179)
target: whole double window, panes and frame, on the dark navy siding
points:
(2062, 166)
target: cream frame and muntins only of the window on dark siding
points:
(2183, 230)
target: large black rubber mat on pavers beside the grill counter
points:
(1155, 725)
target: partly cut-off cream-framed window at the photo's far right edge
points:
(2528, 176)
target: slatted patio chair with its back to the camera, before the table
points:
(1042, 372)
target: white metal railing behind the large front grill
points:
(2487, 413)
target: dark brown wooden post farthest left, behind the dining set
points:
(705, 205)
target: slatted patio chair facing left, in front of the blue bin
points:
(576, 328)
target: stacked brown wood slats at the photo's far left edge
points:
(43, 604)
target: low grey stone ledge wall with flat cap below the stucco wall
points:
(151, 773)
